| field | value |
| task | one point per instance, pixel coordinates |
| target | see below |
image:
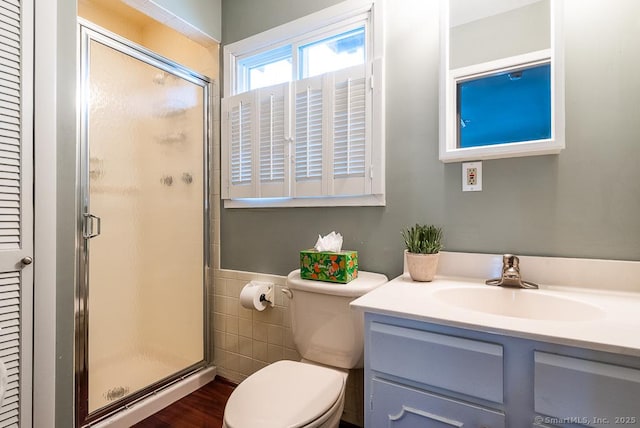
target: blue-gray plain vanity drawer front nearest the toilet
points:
(461, 365)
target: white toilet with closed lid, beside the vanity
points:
(329, 336)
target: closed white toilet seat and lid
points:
(285, 394)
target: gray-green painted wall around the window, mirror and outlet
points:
(581, 203)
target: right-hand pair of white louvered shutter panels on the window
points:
(332, 148)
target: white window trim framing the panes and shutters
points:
(342, 15)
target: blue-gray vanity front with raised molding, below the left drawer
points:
(397, 406)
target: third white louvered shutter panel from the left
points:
(310, 135)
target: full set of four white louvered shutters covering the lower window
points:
(309, 138)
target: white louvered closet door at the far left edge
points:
(16, 215)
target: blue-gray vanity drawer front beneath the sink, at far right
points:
(593, 393)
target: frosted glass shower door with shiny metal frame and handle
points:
(143, 232)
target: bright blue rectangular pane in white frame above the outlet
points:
(504, 108)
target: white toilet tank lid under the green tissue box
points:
(365, 282)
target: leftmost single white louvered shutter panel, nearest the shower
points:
(239, 113)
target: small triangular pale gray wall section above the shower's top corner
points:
(202, 14)
